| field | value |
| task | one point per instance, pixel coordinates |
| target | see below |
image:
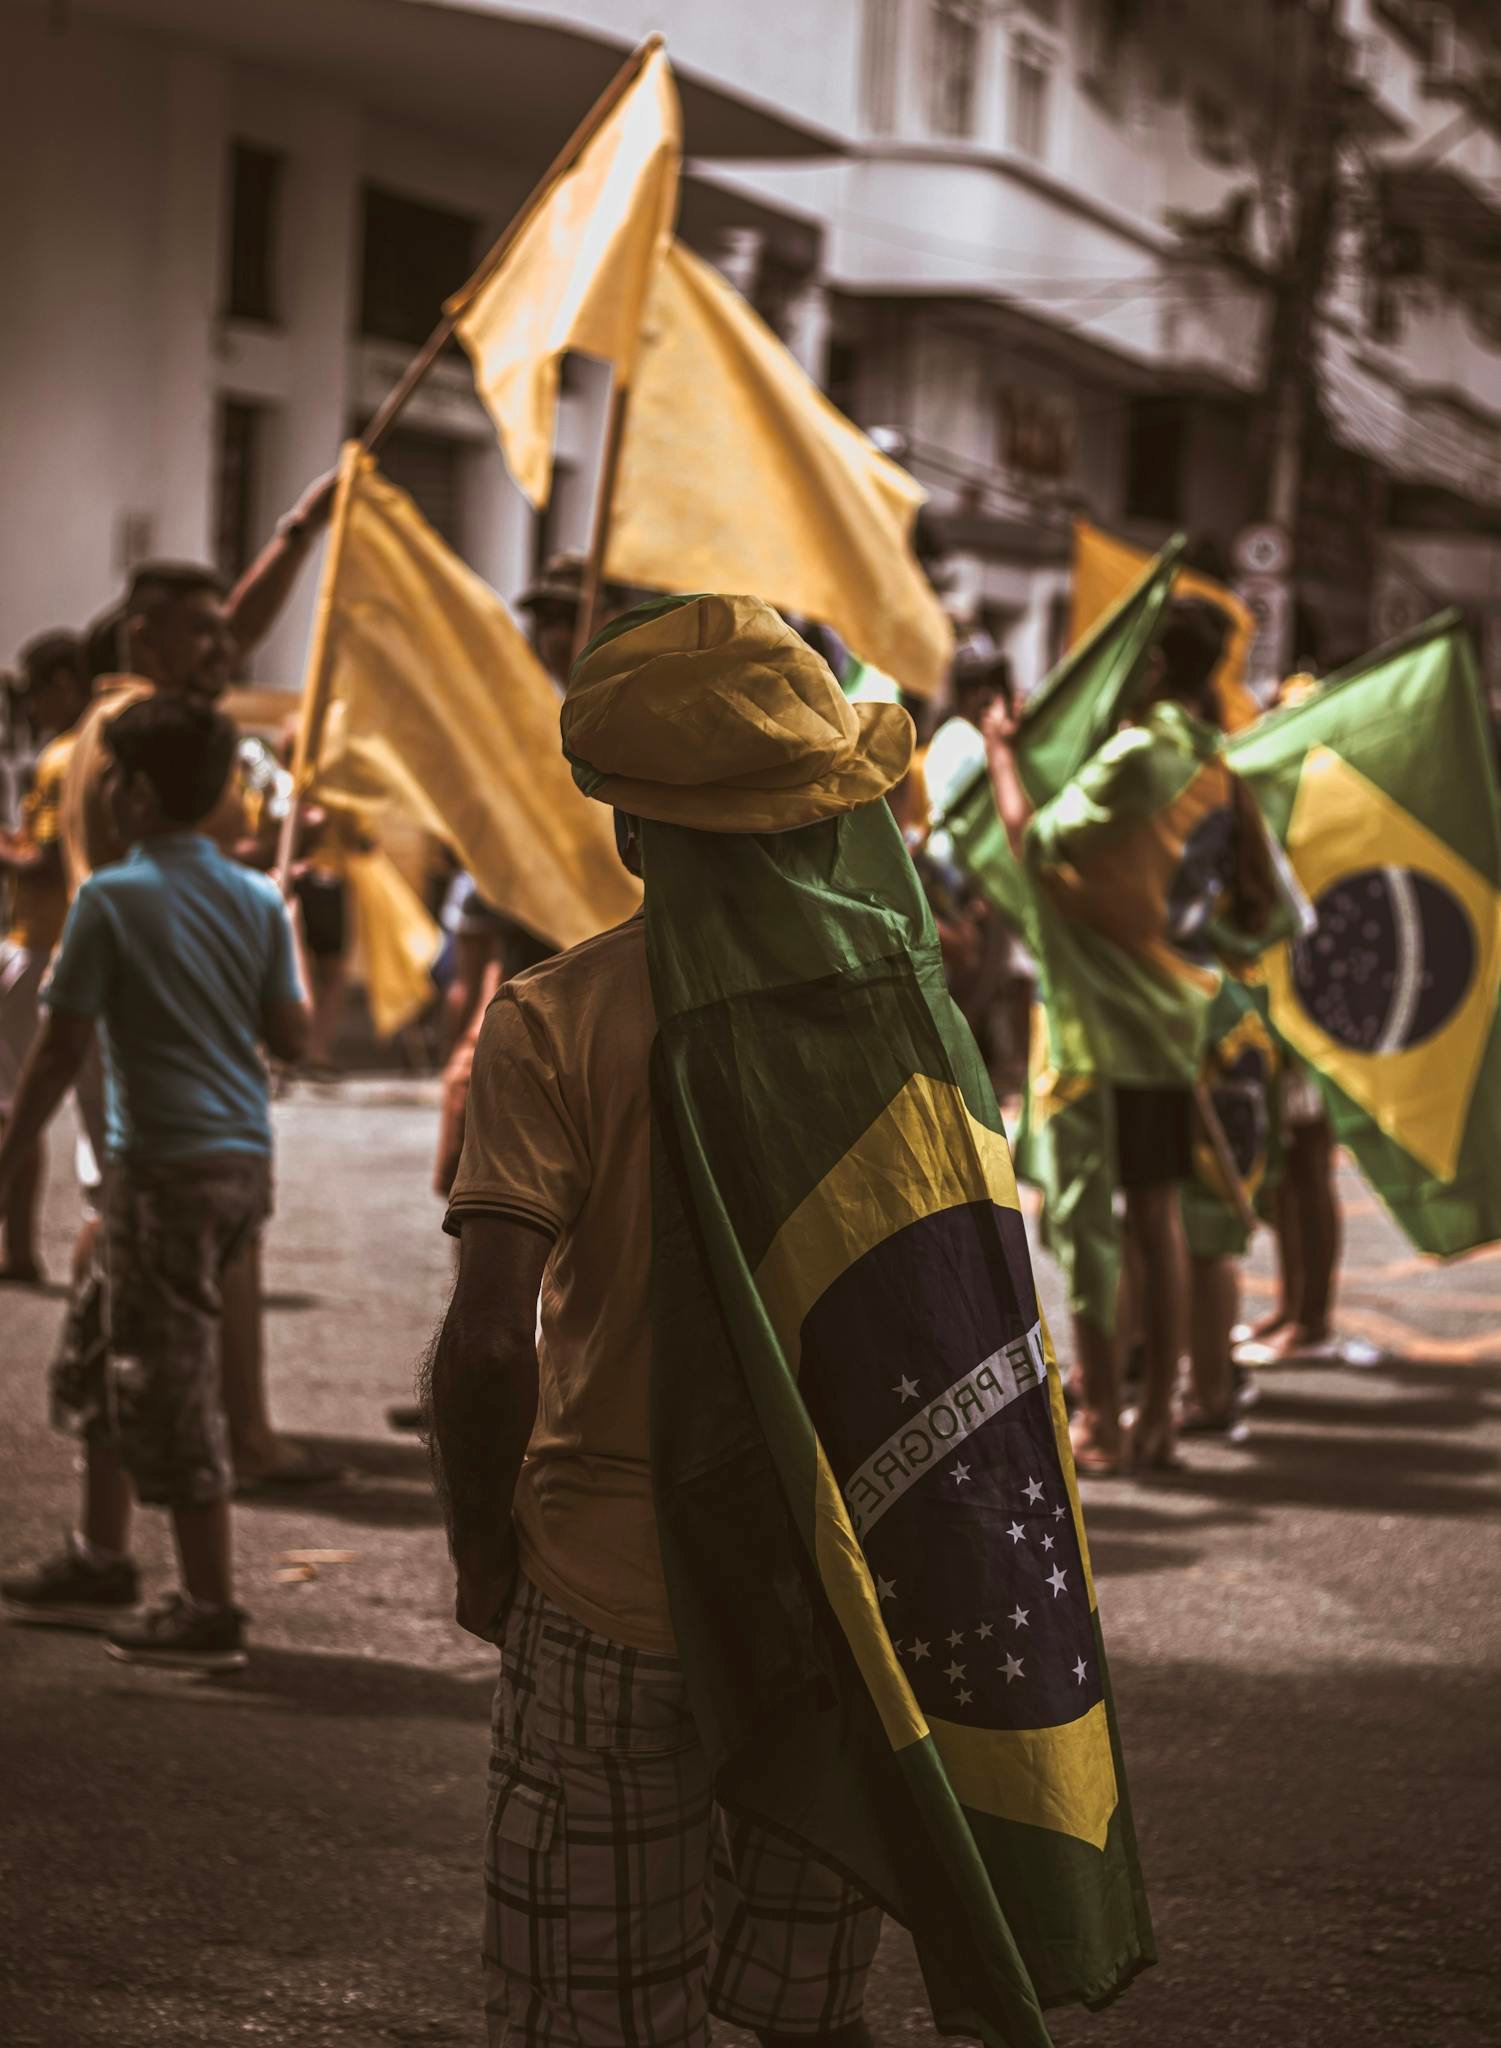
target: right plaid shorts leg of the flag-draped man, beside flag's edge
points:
(794, 1943)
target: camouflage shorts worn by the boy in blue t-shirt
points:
(140, 1359)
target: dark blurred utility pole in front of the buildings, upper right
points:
(1269, 554)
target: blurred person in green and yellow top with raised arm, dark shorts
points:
(1150, 857)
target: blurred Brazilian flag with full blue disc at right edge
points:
(1383, 792)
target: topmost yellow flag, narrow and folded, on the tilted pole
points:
(578, 273)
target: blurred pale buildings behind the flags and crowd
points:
(1234, 269)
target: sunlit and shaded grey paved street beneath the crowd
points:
(1303, 1641)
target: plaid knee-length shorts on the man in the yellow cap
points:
(624, 1906)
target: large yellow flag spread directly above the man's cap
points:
(738, 474)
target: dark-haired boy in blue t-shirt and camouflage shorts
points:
(189, 966)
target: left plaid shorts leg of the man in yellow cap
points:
(597, 1854)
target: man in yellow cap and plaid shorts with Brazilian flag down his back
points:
(771, 1504)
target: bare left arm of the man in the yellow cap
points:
(484, 1406)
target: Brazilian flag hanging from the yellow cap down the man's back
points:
(867, 1504)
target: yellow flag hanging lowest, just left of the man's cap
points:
(441, 710)
